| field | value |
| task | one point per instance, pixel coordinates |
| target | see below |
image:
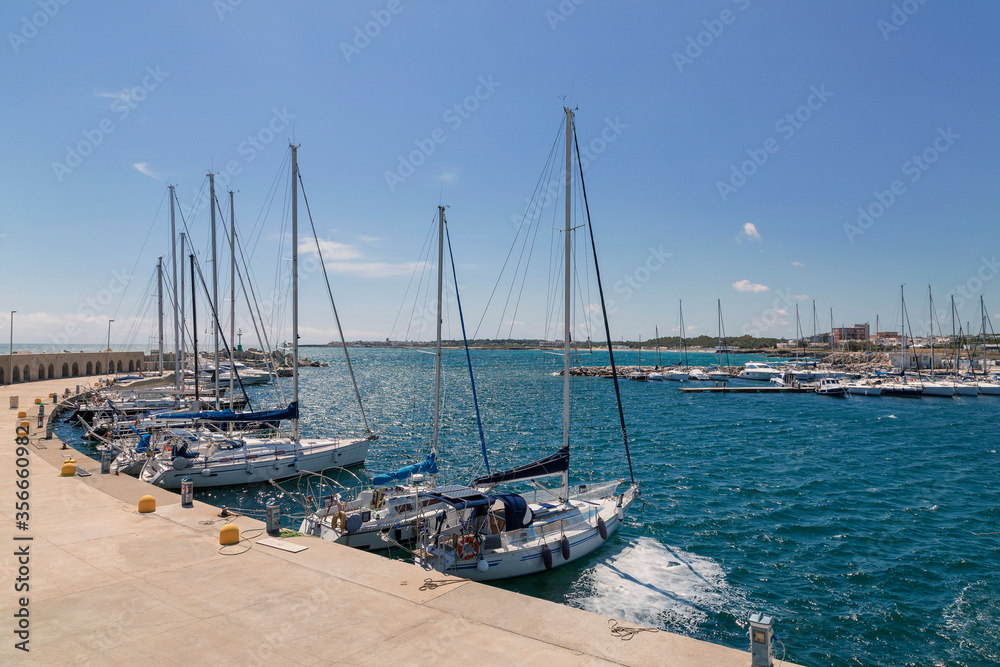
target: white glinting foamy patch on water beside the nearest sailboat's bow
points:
(655, 585)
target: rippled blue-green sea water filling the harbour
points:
(868, 527)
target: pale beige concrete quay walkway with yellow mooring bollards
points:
(111, 586)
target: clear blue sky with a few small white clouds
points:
(747, 136)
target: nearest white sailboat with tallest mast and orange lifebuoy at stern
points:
(503, 535)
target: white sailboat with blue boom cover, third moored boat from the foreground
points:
(225, 462)
